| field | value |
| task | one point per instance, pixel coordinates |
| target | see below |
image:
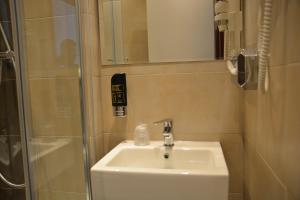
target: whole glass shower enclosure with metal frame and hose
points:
(43, 145)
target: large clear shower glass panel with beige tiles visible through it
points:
(50, 68)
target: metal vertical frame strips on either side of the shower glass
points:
(23, 100)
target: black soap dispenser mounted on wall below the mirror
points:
(119, 94)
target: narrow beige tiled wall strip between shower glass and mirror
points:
(91, 62)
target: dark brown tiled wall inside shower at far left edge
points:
(11, 163)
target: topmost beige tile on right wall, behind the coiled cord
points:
(285, 42)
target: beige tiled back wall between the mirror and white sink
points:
(199, 96)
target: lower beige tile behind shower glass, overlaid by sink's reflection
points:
(60, 169)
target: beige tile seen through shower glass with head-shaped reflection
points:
(52, 47)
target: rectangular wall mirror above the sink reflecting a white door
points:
(154, 31)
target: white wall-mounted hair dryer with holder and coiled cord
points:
(249, 67)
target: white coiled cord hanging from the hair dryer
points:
(265, 42)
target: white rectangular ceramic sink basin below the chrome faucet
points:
(188, 171)
